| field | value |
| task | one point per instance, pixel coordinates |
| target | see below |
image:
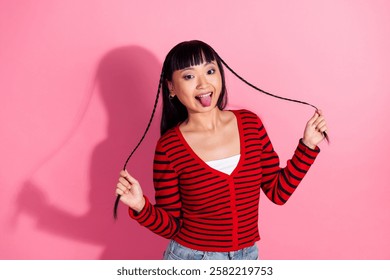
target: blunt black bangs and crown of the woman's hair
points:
(188, 54)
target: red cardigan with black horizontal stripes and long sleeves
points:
(205, 209)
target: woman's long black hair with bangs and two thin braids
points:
(183, 55)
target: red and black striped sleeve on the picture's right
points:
(279, 183)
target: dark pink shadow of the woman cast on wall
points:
(128, 79)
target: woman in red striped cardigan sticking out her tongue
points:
(211, 163)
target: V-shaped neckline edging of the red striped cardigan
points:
(203, 163)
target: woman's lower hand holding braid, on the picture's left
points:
(130, 191)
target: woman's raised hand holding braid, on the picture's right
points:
(314, 130)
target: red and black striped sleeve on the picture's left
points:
(163, 218)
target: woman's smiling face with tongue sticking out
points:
(197, 87)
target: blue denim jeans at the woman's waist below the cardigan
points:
(175, 251)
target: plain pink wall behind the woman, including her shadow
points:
(77, 84)
